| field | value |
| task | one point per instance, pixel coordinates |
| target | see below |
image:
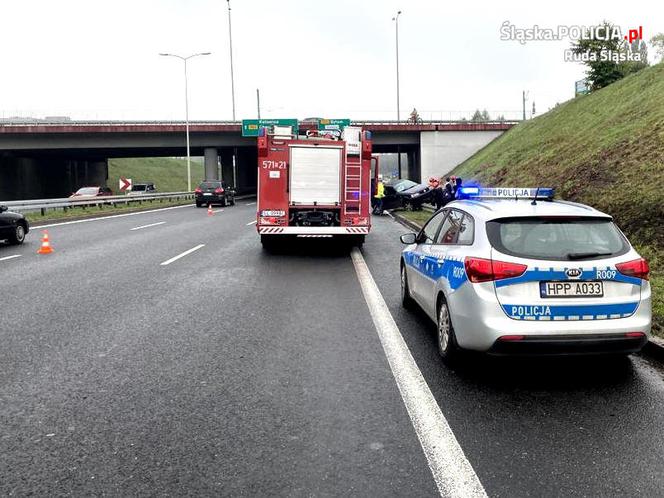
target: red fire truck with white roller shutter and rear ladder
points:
(314, 185)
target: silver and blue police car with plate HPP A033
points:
(510, 271)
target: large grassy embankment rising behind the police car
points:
(605, 149)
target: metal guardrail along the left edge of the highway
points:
(67, 203)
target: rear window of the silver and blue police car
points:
(559, 239)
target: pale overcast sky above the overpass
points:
(98, 59)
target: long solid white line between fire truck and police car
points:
(453, 473)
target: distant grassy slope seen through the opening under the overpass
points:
(168, 174)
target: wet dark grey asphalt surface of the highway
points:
(125, 370)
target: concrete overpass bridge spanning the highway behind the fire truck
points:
(51, 159)
